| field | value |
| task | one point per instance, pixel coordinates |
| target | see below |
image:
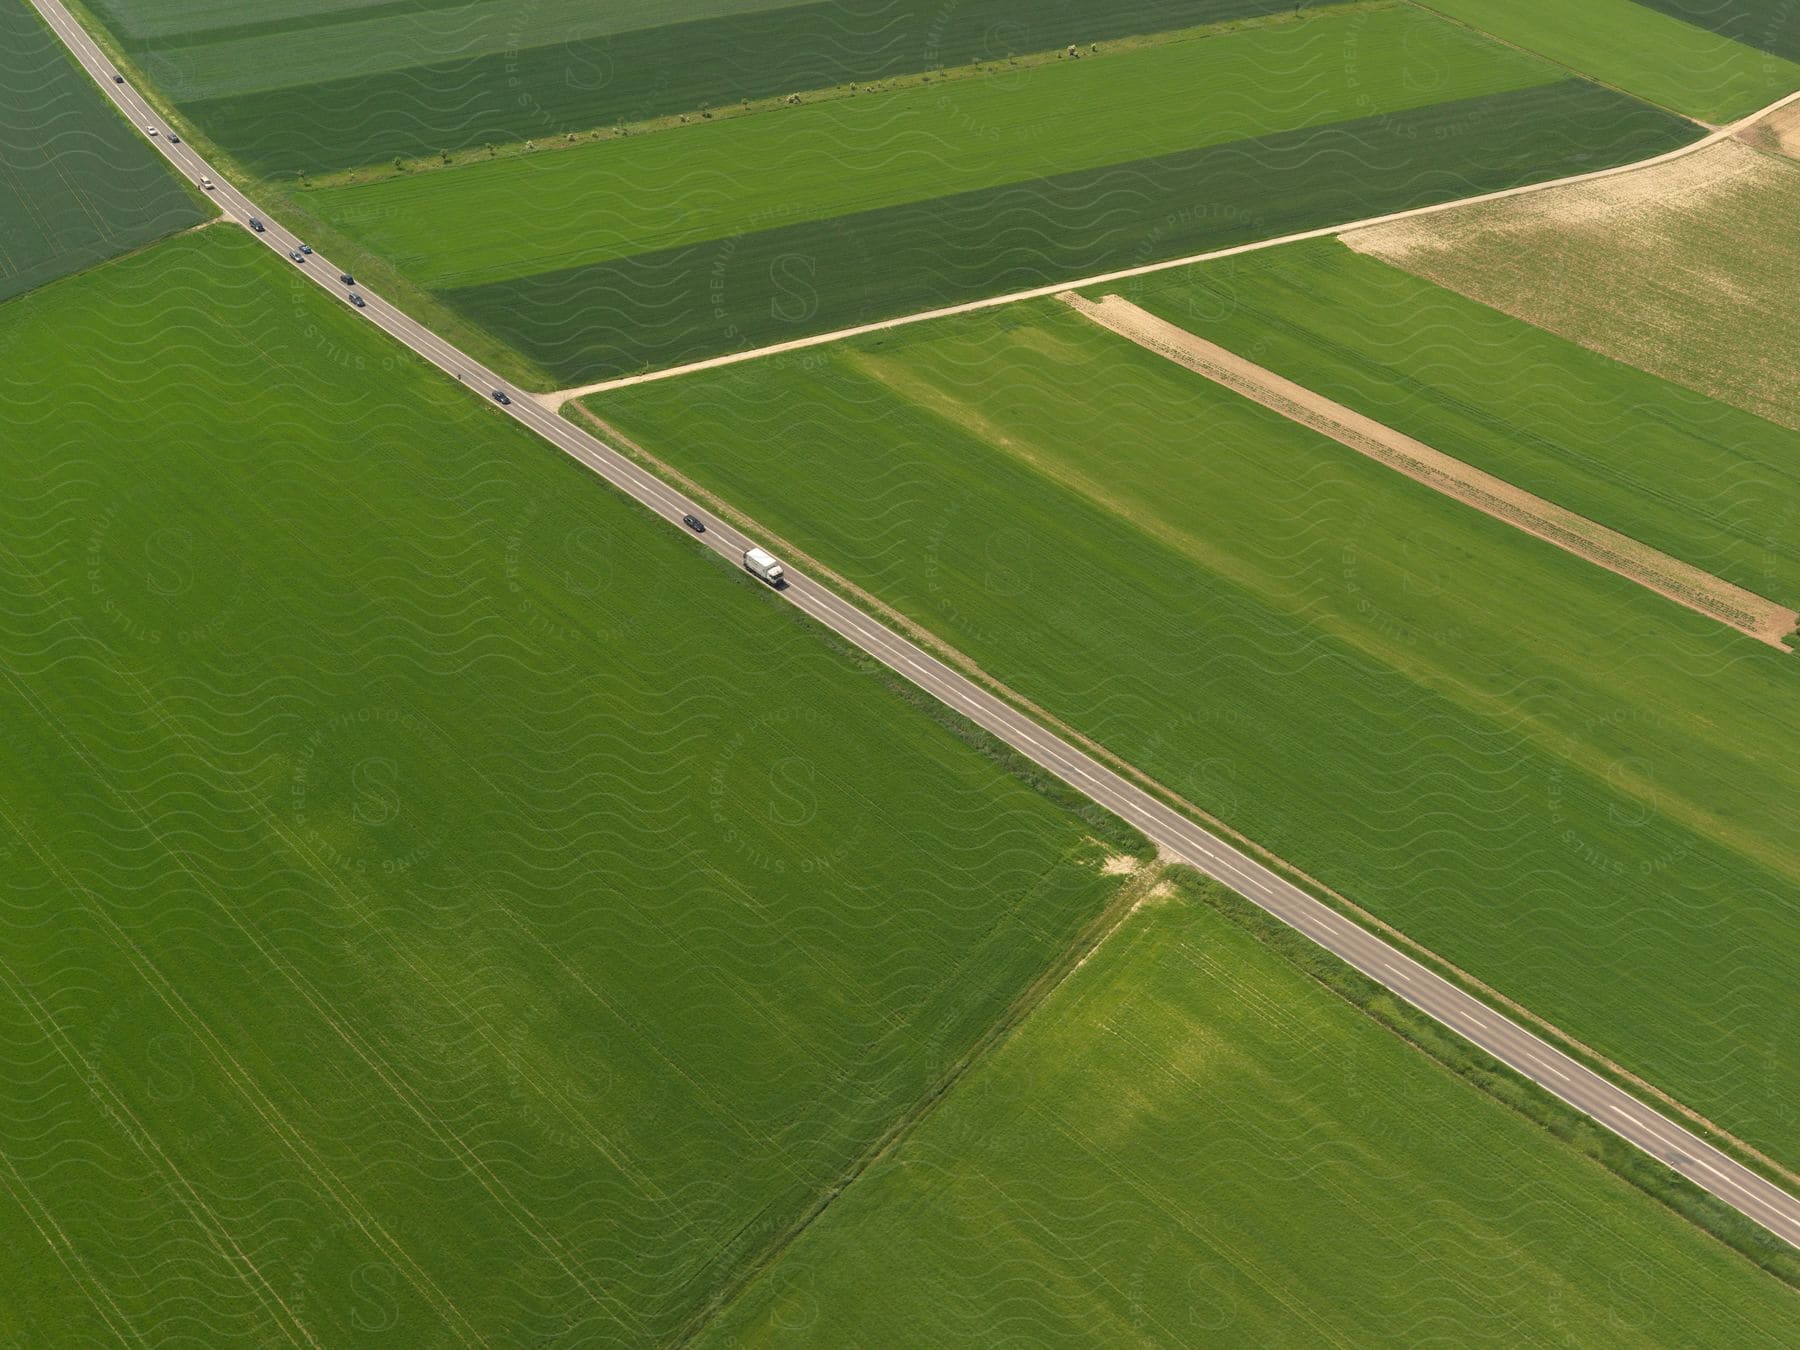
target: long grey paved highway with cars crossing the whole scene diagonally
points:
(1178, 836)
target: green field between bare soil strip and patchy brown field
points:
(1691, 476)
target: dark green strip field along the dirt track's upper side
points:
(705, 300)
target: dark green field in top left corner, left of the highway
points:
(76, 183)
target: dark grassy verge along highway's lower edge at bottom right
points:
(1500, 1083)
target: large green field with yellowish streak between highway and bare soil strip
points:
(1552, 777)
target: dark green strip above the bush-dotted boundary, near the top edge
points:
(654, 73)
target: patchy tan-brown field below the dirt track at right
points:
(1675, 271)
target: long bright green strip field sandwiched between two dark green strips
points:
(575, 208)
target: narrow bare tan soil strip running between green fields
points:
(1669, 577)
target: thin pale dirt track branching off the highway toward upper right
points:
(557, 399)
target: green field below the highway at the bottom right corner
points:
(1192, 1144)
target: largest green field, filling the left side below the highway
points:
(442, 904)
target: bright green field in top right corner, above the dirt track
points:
(1704, 73)
